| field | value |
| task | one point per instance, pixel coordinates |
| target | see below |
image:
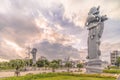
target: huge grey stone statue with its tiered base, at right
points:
(95, 26)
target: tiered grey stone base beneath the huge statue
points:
(94, 66)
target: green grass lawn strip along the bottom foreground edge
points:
(60, 76)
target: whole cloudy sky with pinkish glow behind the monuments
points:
(55, 28)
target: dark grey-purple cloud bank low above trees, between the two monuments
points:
(57, 51)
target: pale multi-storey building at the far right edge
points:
(113, 56)
